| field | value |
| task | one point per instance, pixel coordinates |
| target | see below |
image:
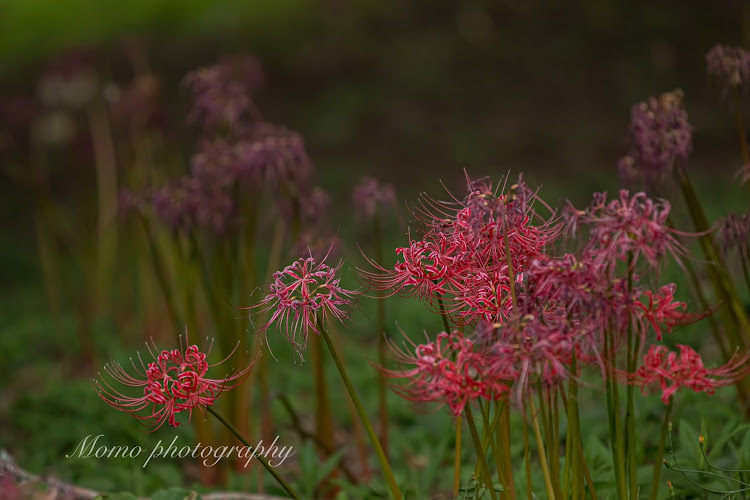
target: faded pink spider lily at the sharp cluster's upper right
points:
(628, 227)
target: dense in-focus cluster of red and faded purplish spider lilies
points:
(490, 259)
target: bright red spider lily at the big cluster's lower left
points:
(448, 371)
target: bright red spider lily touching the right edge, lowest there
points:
(672, 371)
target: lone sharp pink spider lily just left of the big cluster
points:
(302, 294)
